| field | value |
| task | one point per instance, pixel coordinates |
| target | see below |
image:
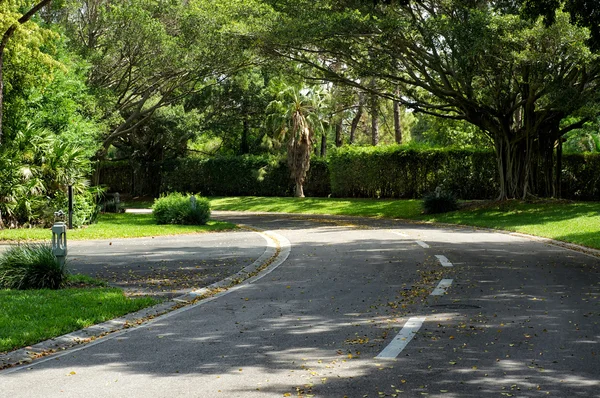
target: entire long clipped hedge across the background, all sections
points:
(372, 172)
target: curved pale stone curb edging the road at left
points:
(276, 252)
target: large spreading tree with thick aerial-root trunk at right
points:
(479, 61)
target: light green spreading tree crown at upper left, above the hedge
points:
(150, 54)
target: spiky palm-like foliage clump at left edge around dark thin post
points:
(36, 168)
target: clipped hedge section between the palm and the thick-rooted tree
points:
(410, 172)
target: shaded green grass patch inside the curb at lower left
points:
(30, 316)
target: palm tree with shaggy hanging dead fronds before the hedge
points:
(296, 114)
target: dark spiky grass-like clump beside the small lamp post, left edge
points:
(31, 266)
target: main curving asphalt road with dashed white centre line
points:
(520, 318)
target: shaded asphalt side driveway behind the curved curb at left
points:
(165, 266)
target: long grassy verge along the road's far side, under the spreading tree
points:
(574, 222)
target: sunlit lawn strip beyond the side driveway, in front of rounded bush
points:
(116, 225)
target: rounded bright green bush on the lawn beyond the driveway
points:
(176, 208)
